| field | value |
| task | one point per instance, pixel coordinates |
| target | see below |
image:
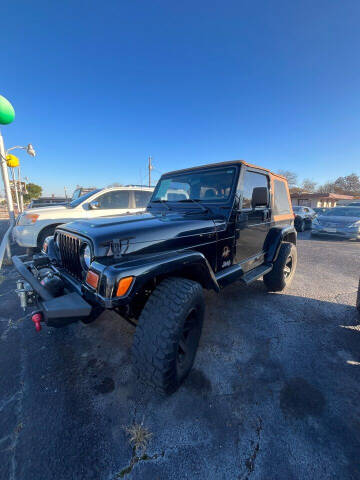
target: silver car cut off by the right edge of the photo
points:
(339, 221)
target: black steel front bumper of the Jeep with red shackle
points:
(57, 311)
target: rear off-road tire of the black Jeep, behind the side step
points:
(279, 278)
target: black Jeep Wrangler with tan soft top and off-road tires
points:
(204, 227)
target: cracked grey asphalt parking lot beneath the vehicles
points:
(274, 393)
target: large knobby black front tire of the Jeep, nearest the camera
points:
(156, 347)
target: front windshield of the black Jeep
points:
(206, 186)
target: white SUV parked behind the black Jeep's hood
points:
(33, 226)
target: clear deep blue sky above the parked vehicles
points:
(98, 86)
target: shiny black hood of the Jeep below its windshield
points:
(145, 231)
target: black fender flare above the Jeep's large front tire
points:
(188, 264)
